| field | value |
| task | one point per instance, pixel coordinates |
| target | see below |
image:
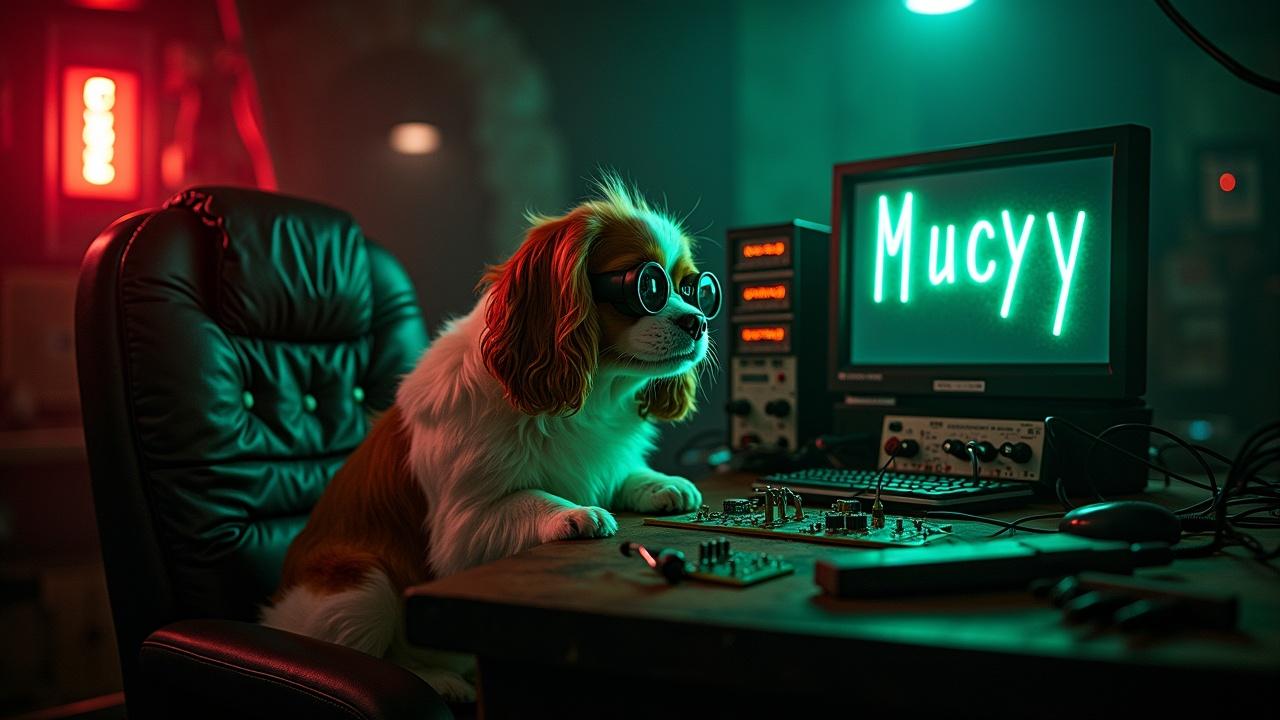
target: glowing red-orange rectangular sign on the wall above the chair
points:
(100, 134)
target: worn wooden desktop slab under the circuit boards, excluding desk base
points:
(575, 604)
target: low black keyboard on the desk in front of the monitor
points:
(900, 489)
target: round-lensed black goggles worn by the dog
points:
(644, 290)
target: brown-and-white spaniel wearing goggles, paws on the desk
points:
(525, 422)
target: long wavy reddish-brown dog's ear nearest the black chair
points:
(542, 338)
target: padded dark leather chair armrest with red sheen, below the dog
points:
(225, 668)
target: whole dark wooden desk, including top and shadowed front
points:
(570, 626)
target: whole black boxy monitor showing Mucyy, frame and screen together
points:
(1011, 270)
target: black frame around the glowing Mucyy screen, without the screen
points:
(1123, 377)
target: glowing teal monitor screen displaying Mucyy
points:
(996, 266)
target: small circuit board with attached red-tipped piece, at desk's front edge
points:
(717, 563)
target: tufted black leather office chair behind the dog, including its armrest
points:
(231, 347)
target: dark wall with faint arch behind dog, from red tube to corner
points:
(644, 89)
